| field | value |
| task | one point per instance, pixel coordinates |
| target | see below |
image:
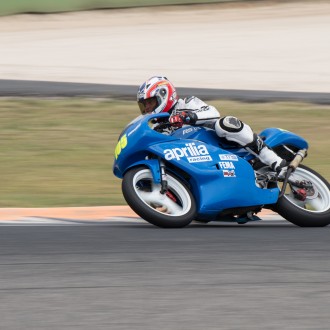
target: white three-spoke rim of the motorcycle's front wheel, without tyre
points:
(176, 202)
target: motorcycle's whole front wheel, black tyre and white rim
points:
(175, 208)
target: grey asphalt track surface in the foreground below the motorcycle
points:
(121, 275)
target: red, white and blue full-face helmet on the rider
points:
(160, 88)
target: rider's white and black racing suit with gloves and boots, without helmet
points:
(194, 111)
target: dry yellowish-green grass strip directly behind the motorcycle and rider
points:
(59, 152)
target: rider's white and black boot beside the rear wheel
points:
(266, 155)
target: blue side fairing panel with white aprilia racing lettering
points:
(215, 172)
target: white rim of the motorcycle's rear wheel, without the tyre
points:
(318, 200)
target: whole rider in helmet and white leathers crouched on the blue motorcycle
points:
(158, 94)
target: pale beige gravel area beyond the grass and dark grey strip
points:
(265, 45)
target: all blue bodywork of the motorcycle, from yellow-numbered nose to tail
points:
(219, 175)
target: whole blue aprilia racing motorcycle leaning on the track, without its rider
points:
(171, 177)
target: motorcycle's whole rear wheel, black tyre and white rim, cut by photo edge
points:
(310, 208)
